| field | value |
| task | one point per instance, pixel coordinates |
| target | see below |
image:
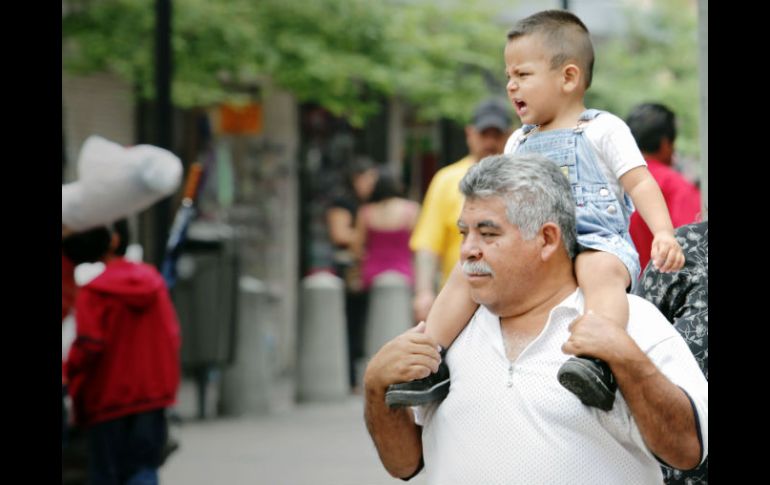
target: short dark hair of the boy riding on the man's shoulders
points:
(565, 35)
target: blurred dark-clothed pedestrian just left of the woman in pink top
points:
(341, 221)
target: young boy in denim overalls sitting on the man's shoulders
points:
(549, 61)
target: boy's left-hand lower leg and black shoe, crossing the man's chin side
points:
(448, 316)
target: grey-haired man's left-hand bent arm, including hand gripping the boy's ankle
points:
(411, 355)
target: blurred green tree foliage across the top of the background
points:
(346, 55)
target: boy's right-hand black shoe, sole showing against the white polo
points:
(591, 380)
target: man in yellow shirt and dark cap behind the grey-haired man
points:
(436, 240)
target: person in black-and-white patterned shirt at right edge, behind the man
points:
(682, 298)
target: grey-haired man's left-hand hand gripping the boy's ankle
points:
(412, 355)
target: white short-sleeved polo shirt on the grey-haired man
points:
(513, 423)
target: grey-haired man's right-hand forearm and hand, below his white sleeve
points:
(661, 409)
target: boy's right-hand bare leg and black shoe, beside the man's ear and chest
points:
(603, 278)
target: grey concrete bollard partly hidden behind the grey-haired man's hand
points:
(390, 310)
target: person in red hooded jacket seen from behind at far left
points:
(123, 367)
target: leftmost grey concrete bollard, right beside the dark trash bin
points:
(246, 383)
